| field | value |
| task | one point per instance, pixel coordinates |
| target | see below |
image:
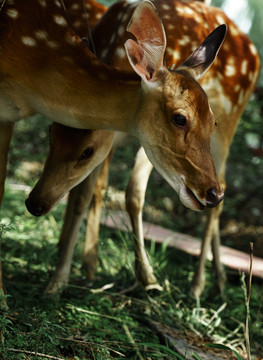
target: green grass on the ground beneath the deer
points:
(86, 324)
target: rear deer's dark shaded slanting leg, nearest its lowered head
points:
(78, 204)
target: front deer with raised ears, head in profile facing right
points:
(45, 68)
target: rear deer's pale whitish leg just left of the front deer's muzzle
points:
(135, 195)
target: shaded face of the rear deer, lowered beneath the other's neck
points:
(73, 155)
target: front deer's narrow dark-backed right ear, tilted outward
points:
(202, 58)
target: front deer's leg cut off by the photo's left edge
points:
(6, 130)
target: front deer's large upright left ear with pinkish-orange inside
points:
(146, 56)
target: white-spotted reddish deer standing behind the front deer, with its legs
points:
(229, 84)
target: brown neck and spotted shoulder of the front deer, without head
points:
(58, 76)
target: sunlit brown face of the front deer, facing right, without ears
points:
(188, 122)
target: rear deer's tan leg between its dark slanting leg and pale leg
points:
(90, 254)
